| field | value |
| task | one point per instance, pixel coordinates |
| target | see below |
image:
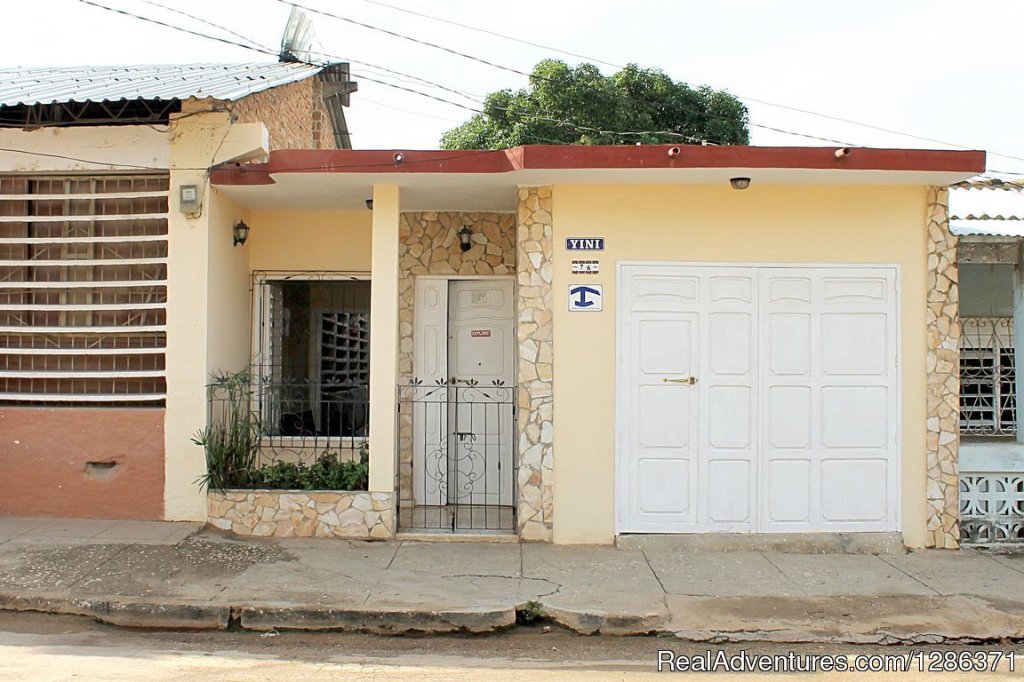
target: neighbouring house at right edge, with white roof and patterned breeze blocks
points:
(988, 216)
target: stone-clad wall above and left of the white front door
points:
(430, 245)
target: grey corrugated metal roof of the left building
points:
(220, 81)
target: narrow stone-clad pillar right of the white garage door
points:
(944, 376)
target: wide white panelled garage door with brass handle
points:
(757, 400)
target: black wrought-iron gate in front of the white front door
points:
(458, 439)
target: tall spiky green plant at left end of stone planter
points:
(232, 440)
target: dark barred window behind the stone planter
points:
(313, 357)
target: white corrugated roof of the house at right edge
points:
(988, 207)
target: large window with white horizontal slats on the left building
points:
(83, 289)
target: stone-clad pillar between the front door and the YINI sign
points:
(535, 327)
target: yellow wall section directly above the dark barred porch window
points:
(311, 241)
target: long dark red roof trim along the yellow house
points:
(550, 157)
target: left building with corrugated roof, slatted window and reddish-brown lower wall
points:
(103, 354)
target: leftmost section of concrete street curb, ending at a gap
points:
(125, 614)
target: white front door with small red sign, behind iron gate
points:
(465, 338)
